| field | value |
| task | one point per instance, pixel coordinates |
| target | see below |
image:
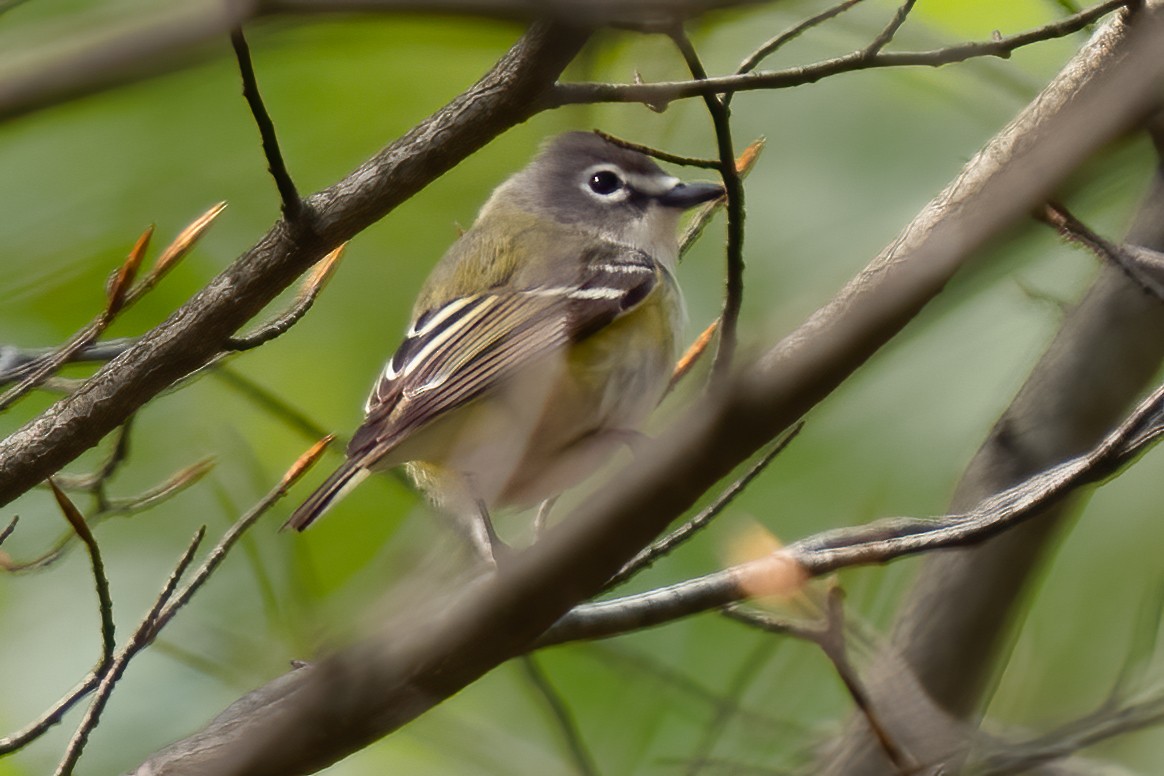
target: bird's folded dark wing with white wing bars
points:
(469, 346)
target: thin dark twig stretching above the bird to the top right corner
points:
(663, 92)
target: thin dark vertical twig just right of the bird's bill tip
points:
(734, 296)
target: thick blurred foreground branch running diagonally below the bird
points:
(316, 716)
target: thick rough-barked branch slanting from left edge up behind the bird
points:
(200, 331)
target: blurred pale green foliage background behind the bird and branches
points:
(849, 162)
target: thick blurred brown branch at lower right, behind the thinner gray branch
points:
(1108, 350)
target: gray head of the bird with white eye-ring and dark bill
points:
(588, 183)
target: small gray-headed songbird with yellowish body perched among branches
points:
(541, 341)
